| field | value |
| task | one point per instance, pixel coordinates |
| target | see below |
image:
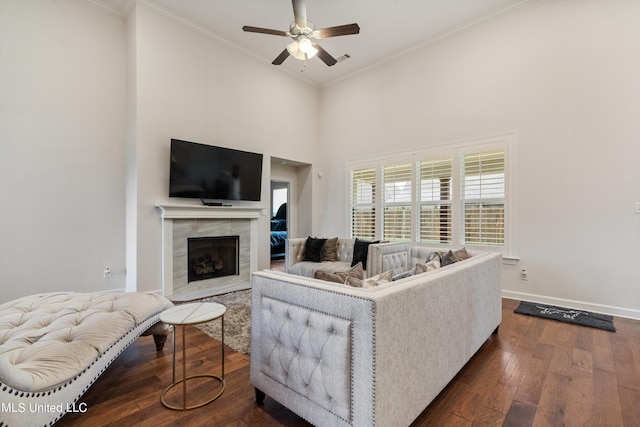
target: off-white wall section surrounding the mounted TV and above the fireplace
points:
(193, 87)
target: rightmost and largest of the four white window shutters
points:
(483, 198)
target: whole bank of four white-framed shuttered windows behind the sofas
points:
(451, 196)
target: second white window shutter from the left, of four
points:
(397, 200)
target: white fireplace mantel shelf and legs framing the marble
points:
(172, 213)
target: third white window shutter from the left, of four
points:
(434, 198)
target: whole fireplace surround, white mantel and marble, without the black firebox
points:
(179, 222)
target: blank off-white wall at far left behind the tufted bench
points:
(62, 89)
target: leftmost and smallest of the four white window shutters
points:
(363, 199)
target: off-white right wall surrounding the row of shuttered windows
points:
(565, 76)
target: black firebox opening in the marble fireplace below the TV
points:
(211, 257)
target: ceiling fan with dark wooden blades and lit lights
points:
(302, 31)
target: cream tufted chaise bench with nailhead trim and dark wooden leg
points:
(53, 346)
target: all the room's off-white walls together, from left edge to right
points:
(564, 75)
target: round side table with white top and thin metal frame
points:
(192, 314)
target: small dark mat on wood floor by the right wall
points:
(567, 315)
